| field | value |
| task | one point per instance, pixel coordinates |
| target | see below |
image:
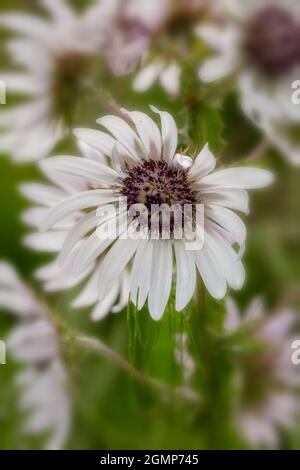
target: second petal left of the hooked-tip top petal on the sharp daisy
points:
(124, 134)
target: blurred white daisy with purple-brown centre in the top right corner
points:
(259, 41)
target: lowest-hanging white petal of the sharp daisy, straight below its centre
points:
(161, 278)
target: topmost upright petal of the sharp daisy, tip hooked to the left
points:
(169, 134)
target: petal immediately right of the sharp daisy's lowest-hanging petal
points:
(186, 275)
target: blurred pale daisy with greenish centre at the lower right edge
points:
(266, 378)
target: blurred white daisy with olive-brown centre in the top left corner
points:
(54, 55)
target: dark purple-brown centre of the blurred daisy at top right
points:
(273, 41)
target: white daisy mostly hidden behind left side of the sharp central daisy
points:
(57, 276)
